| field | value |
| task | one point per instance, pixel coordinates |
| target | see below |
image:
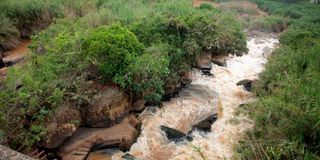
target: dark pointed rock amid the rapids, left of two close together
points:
(173, 134)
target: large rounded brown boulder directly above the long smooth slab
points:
(109, 107)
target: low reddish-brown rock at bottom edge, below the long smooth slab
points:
(105, 154)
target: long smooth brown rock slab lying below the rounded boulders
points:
(85, 139)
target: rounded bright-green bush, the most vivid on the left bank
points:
(112, 49)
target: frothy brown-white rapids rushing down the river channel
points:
(220, 95)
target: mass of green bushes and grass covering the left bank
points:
(143, 47)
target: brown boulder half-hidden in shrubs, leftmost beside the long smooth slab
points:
(61, 125)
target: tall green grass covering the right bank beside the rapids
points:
(287, 112)
